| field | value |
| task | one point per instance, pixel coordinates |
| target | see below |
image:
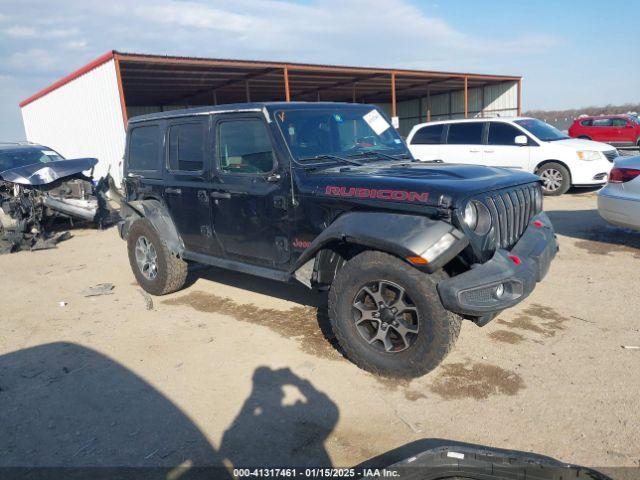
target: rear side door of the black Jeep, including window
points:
(187, 187)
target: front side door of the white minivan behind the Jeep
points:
(501, 149)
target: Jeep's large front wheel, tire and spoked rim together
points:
(436, 332)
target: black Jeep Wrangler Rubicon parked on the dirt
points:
(328, 194)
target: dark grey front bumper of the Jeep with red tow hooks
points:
(505, 280)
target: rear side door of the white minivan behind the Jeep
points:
(464, 143)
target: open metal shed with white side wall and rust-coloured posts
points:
(86, 113)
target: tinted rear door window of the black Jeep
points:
(186, 147)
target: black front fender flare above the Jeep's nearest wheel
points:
(398, 234)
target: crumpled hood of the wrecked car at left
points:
(44, 173)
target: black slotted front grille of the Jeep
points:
(511, 210)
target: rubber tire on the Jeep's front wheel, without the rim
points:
(438, 328)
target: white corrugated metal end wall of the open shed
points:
(82, 118)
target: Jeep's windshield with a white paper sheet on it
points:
(339, 132)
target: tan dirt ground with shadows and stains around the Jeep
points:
(237, 370)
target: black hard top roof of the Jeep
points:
(254, 106)
